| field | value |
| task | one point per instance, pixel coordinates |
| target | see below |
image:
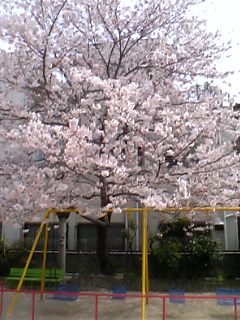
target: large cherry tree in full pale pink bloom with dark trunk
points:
(111, 114)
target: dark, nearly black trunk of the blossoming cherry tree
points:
(105, 263)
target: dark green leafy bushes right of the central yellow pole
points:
(176, 255)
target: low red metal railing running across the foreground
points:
(162, 298)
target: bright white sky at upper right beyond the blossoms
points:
(224, 15)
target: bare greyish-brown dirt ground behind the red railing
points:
(83, 308)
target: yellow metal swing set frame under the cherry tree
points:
(143, 211)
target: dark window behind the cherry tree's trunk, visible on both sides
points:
(87, 237)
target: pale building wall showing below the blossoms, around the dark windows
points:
(227, 234)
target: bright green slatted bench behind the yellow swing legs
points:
(34, 275)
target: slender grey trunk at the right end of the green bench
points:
(62, 231)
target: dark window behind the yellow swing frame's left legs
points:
(30, 233)
